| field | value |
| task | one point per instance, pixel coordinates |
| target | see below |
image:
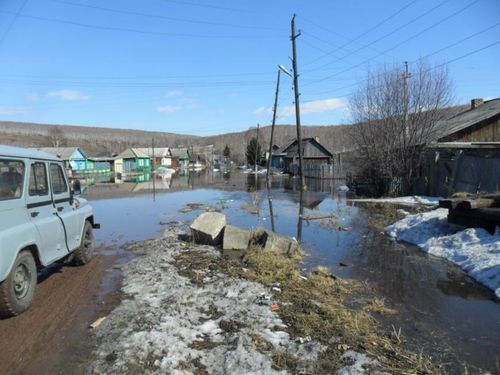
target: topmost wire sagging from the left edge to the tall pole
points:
(137, 31)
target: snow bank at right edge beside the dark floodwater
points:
(475, 250)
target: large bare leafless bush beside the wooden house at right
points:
(395, 116)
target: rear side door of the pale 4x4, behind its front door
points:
(42, 213)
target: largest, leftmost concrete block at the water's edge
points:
(208, 228)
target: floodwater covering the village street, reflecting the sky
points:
(441, 310)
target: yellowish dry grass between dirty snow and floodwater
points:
(319, 307)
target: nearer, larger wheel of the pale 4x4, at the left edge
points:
(18, 290)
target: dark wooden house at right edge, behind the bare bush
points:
(466, 154)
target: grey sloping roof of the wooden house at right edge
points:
(468, 118)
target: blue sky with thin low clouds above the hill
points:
(208, 67)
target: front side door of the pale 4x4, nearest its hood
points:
(66, 211)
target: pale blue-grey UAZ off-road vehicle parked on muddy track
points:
(40, 223)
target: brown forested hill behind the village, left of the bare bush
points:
(96, 139)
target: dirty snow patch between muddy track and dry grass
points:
(166, 324)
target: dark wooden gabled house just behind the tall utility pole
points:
(318, 161)
